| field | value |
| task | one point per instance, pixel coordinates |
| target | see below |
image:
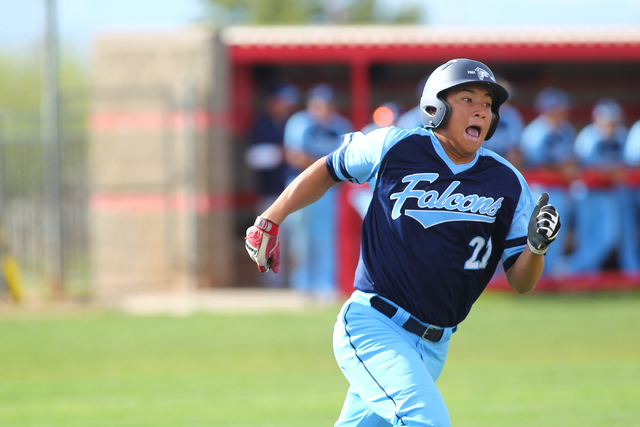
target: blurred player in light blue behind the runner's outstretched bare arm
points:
(309, 135)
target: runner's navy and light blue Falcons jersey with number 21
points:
(435, 231)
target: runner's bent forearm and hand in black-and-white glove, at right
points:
(544, 225)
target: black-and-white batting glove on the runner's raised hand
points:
(544, 225)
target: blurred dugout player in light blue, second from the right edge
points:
(606, 211)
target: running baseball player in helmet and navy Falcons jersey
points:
(444, 212)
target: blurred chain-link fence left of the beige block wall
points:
(23, 206)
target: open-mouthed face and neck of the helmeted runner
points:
(468, 123)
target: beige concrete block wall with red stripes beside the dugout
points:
(160, 162)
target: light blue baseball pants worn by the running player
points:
(391, 371)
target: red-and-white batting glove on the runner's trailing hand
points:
(263, 245)
